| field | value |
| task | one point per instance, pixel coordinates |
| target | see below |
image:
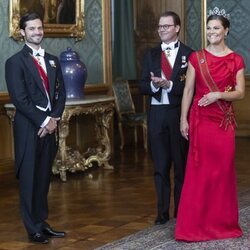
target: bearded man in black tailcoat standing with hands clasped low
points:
(36, 88)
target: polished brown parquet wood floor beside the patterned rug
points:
(98, 206)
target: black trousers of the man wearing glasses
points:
(168, 148)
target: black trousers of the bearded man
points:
(34, 180)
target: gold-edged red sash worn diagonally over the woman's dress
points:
(226, 107)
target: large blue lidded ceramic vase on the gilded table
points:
(74, 74)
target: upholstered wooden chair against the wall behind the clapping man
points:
(127, 115)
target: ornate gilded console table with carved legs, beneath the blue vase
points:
(68, 159)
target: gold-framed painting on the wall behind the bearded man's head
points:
(54, 24)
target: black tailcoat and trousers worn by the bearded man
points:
(34, 155)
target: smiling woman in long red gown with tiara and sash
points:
(208, 208)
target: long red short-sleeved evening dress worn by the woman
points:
(208, 207)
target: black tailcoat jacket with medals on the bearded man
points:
(27, 91)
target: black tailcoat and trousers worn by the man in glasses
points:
(166, 144)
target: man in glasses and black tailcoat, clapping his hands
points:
(163, 80)
